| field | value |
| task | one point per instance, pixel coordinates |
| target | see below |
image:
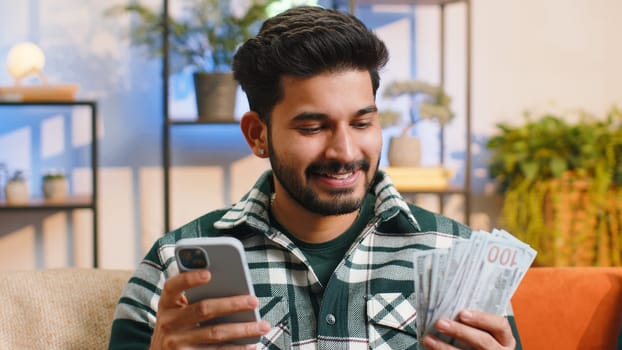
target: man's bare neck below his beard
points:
(308, 226)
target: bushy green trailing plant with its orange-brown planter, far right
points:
(562, 186)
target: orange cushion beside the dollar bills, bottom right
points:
(569, 307)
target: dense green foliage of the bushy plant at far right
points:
(548, 146)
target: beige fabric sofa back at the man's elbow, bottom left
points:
(67, 308)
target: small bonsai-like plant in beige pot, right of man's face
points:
(426, 101)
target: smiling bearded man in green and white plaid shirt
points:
(328, 239)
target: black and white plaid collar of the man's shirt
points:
(253, 208)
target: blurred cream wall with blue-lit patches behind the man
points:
(527, 54)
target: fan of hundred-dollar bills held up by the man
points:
(479, 273)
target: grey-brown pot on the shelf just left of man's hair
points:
(215, 96)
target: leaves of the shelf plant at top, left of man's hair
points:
(204, 37)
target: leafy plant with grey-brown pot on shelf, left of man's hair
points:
(203, 39)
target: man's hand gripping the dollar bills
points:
(477, 330)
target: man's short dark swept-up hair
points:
(304, 41)
